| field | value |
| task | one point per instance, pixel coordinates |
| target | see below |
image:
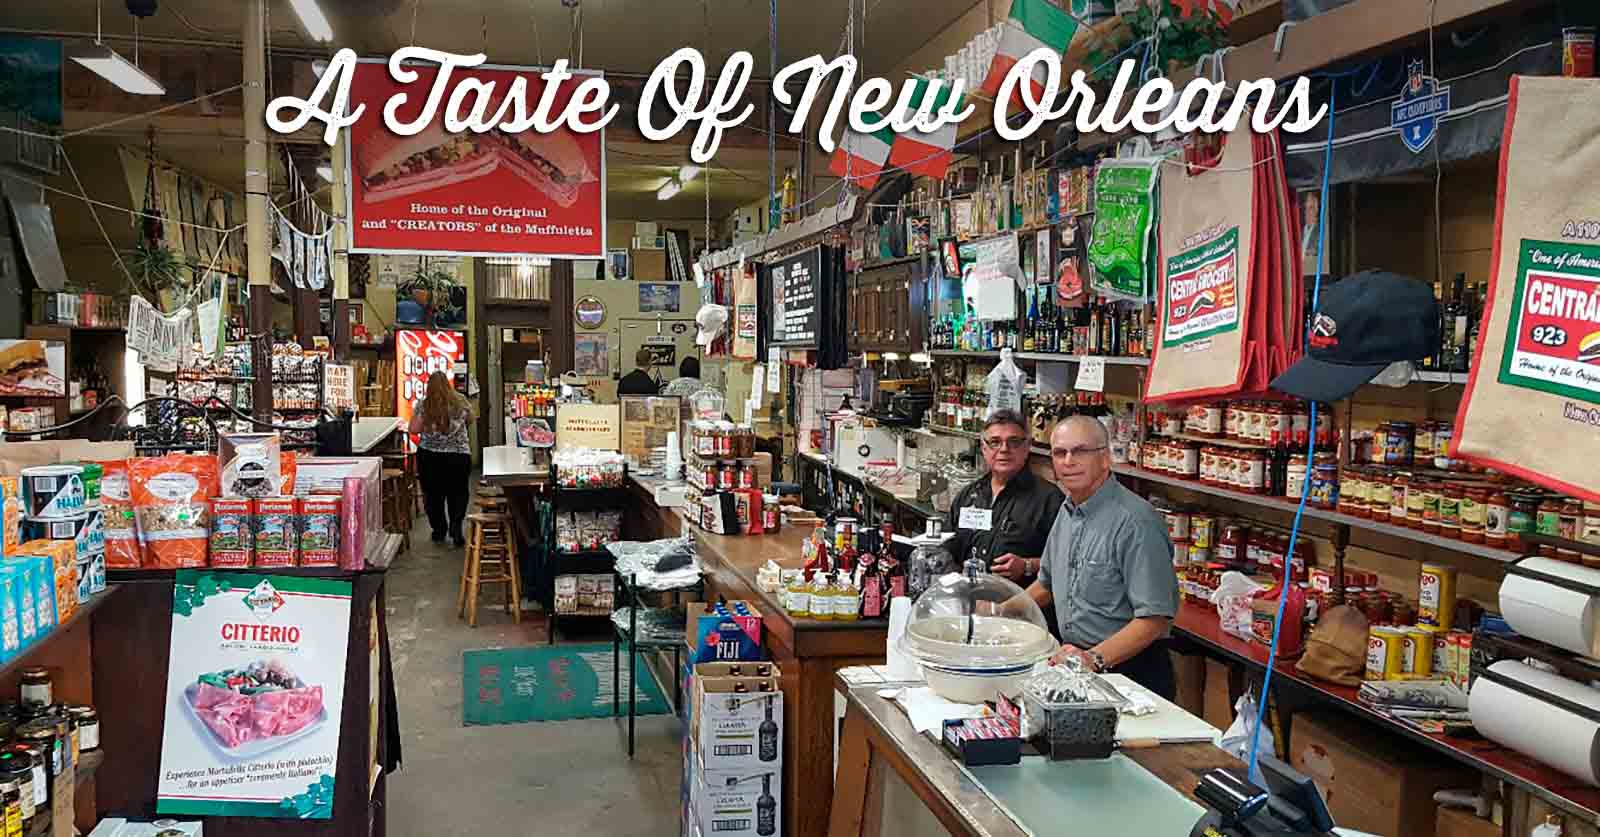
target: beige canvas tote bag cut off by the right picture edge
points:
(1532, 406)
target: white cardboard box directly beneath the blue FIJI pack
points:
(738, 721)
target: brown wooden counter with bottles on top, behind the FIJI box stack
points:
(809, 652)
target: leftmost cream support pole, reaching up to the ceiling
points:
(258, 220)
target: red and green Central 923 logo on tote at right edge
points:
(1553, 343)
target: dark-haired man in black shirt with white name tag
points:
(1004, 518)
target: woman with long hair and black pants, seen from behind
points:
(444, 457)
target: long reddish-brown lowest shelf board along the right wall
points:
(1199, 625)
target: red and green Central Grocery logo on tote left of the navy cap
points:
(1202, 292)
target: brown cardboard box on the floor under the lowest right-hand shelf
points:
(1374, 783)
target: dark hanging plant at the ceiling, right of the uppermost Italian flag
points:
(1188, 31)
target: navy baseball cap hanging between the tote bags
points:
(1366, 322)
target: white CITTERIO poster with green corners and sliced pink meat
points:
(255, 692)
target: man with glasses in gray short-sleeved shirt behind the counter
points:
(1108, 566)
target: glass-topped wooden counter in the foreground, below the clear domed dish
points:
(886, 767)
